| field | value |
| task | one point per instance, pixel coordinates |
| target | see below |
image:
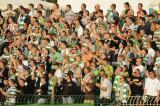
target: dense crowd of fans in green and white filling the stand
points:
(102, 53)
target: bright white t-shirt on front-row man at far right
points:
(152, 86)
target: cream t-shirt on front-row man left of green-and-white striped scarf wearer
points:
(106, 83)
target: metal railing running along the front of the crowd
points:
(80, 99)
